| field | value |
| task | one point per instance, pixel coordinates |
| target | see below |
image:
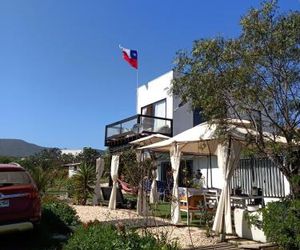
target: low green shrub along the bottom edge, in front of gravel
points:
(107, 237)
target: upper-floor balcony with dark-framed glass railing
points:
(132, 128)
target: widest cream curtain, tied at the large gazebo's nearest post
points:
(228, 154)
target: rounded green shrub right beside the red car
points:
(58, 216)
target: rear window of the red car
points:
(14, 178)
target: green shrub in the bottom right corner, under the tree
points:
(281, 223)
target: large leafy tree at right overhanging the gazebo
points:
(256, 77)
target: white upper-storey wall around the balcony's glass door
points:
(154, 91)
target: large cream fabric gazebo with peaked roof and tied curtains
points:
(205, 139)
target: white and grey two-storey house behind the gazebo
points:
(158, 111)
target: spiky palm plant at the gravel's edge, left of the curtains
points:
(84, 183)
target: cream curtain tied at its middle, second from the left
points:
(114, 175)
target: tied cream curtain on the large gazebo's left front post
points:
(175, 163)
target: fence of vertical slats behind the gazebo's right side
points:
(259, 173)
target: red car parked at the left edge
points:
(20, 204)
